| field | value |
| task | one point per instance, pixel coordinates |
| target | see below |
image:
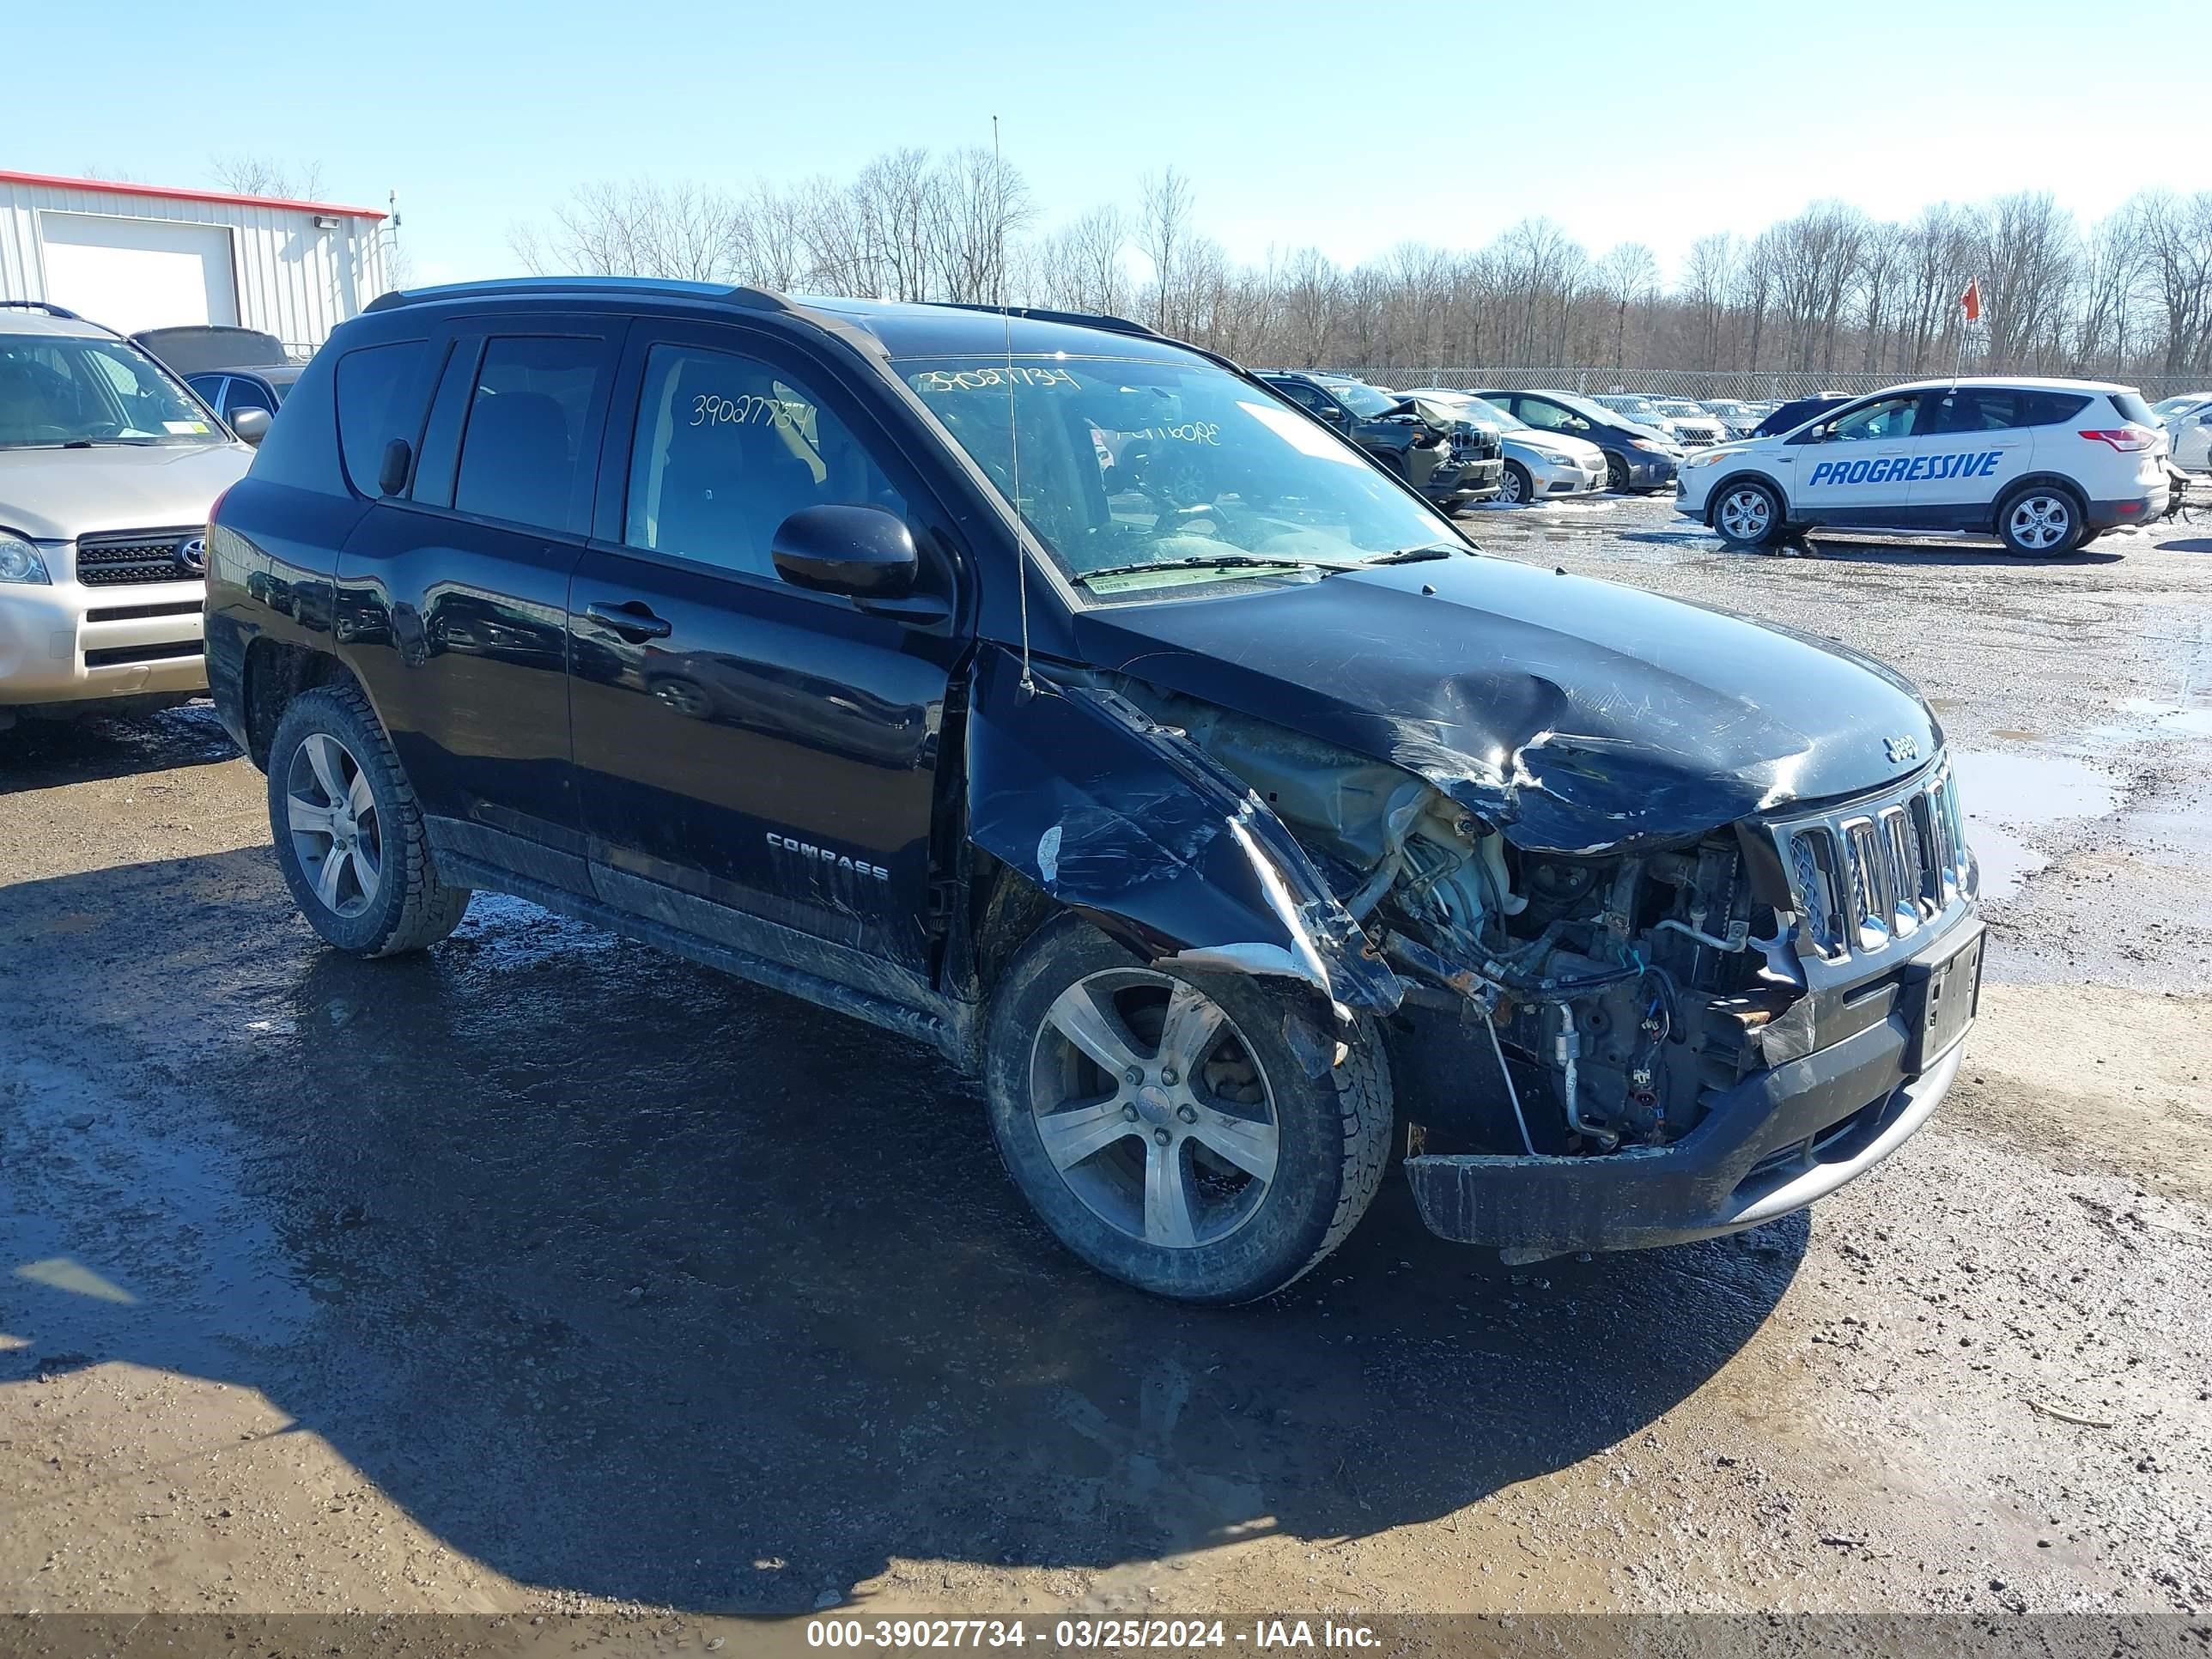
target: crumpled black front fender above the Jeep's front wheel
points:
(1134, 826)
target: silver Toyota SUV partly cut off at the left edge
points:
(107, 474)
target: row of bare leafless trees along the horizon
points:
(1824, 291)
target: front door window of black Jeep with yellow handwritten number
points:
(727, 450)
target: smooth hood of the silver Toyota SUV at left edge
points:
(61, 494)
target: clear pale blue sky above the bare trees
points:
(1300, 125)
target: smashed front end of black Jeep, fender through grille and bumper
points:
(1594, 1050)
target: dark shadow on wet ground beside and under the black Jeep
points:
(638, 1282)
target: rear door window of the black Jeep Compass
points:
(521, 455)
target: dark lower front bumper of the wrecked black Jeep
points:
(1766, 1147)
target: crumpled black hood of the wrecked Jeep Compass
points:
(1572, 713)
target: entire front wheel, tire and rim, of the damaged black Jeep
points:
(1165, 1129)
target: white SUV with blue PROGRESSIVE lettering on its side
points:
(2043, 466)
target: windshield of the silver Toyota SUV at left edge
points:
(67, 390)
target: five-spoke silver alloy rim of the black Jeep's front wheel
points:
(1154, 1109)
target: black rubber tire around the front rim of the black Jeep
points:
(1293, 1222)
